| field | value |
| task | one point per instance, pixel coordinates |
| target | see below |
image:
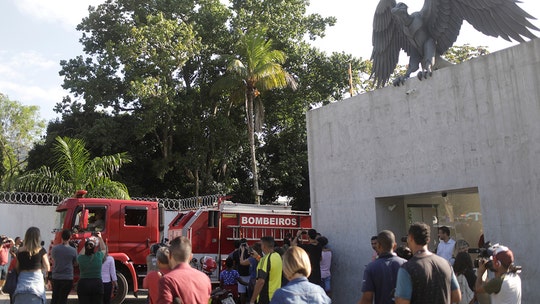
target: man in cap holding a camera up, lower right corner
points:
(506, 286)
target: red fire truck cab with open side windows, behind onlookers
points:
(128, 228)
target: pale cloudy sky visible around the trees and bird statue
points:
(36, 34)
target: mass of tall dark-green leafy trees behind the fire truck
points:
(144, 83)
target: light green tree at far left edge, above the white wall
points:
(20, 128)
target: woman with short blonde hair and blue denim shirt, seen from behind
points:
(296, 268)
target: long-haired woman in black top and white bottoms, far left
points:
(31, 260)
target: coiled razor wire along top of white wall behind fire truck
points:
(49, 199)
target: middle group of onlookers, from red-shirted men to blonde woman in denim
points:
(296, 272)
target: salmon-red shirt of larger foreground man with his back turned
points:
(190, 285)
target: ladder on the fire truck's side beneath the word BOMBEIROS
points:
(254, 233)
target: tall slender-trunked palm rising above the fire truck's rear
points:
(256, 68)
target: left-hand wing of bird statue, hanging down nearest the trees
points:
(388, 39)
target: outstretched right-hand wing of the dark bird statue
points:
(497, 18)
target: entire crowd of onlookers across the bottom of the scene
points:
(298, 271)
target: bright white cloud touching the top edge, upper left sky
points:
(68, 13)
